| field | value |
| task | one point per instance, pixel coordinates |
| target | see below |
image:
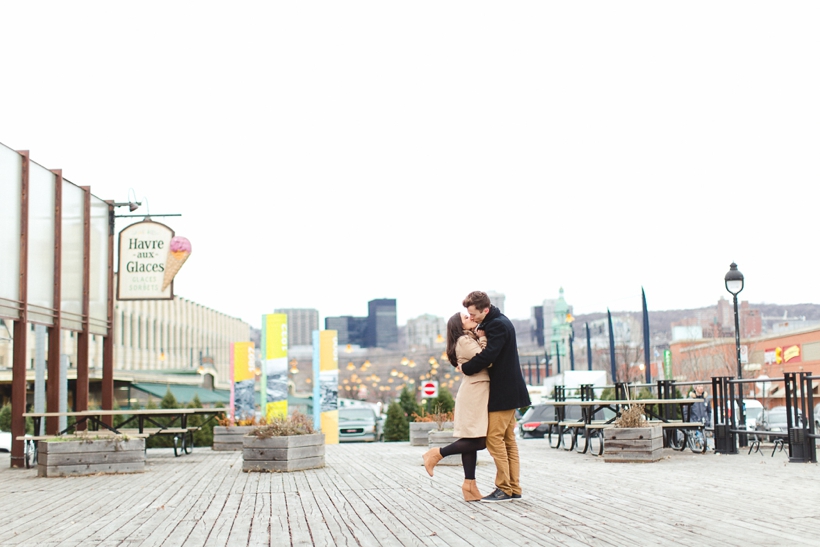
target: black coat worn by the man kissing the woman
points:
(507, 387)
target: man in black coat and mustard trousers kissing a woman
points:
(508, 391)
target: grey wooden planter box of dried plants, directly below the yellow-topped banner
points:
(293, 453)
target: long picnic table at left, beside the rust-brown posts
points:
(141, 422)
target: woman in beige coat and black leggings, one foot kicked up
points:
(463, 343)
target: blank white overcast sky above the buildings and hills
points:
(324, 154)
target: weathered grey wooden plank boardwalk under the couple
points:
(378, 494)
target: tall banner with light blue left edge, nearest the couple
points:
(326, 384)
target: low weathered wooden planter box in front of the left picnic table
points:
(90, 456)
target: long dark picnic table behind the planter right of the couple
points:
(587, 426)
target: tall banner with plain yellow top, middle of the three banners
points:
(275, 364)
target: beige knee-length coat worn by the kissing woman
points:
(473, 394)
